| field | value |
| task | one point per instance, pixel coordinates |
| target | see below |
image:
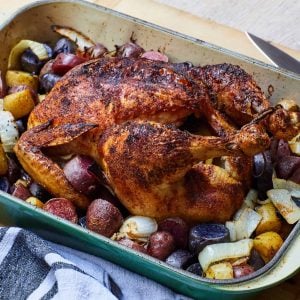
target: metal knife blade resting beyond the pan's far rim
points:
(275, 55)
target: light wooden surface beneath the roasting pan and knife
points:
(203, 29)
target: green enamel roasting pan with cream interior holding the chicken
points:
(112, 28)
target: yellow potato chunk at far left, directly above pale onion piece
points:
(20, 104)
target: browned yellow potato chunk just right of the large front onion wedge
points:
(267, 244)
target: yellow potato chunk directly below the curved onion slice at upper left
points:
(14, 78)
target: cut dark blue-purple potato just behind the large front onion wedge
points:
(202, 235)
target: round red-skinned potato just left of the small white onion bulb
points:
(103, 217)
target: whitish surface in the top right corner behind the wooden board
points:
(272, 20)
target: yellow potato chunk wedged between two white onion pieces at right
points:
(269, 221)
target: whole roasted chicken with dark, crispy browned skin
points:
(125, 113)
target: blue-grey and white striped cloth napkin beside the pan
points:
(32, 268)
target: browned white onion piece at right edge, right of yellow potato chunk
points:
(282, 200)
